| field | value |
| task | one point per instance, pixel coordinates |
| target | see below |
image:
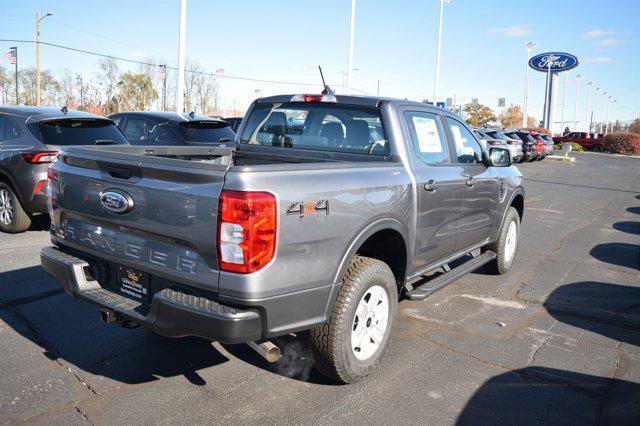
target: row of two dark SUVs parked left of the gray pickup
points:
(30, 138)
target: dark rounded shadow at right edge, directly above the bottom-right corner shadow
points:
(610, 310)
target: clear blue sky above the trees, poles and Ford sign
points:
(395, 43)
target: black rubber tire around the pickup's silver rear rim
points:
(331, 341)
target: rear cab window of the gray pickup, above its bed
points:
(317, 126)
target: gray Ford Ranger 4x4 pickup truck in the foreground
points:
(326, 212)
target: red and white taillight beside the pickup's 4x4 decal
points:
(246, 230)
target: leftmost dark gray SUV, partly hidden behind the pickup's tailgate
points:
(30, 138)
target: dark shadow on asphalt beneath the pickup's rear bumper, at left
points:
(69, 331)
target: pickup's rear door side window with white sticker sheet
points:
(426, 134)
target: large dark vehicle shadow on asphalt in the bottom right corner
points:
(539, 395)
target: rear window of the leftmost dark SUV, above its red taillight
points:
(68, 132)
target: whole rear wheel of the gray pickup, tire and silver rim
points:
(350, 345)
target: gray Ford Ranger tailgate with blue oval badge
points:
(170, 228)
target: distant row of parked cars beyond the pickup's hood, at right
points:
(522, 144)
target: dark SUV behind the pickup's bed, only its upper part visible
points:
(172, 129)
